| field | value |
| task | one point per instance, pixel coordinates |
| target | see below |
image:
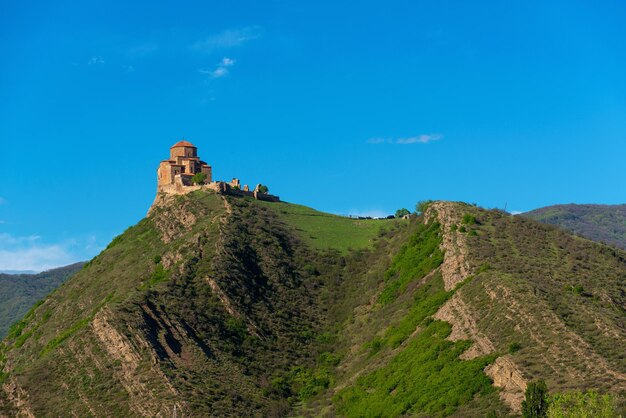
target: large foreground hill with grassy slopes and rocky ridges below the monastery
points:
(223, 306)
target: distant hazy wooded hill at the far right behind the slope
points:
(602, 223)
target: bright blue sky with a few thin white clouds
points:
(352, 108)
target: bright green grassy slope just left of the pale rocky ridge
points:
(394, 359)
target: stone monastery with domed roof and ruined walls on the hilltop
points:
(185, 172)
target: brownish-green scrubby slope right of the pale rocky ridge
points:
(559, 297)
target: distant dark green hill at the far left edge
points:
(19, 292)
